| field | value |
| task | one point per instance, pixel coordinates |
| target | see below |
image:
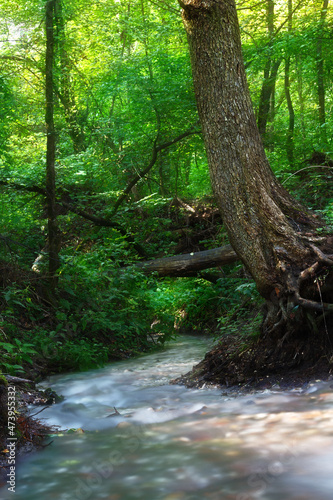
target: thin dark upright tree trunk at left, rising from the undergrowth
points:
(53, 233)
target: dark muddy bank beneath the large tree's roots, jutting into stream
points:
(241, 366)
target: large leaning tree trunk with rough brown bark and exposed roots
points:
(273, 235)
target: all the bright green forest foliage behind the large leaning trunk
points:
(122, 84)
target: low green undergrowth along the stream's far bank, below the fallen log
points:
(104, 310)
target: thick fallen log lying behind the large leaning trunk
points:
(189, 264)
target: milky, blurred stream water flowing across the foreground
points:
(133, 436)
